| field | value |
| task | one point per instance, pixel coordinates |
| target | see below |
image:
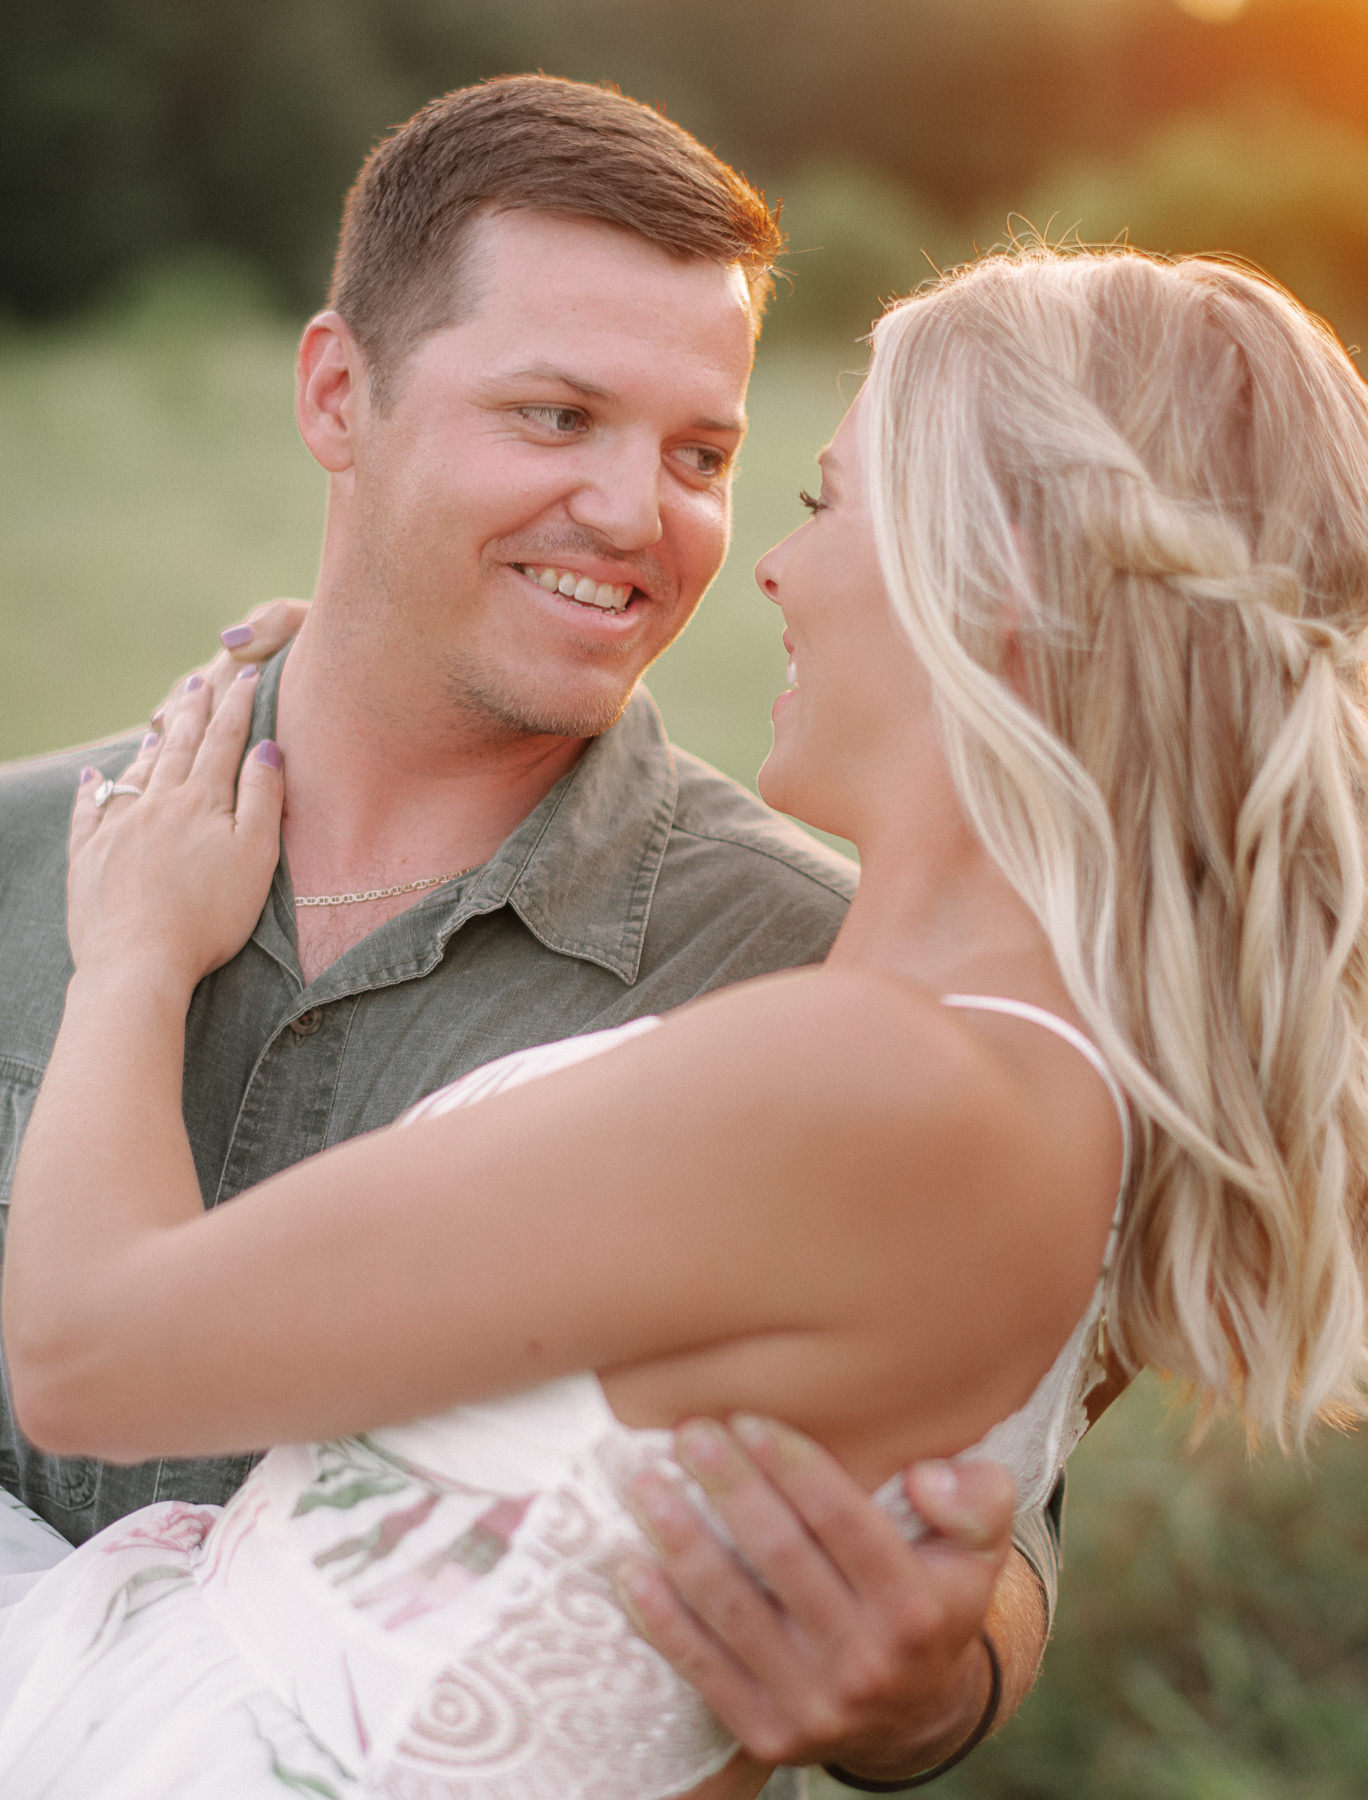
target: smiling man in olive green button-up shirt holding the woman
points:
(528, 393)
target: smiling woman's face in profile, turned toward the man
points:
(858, 703)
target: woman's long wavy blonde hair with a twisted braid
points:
(1122, 510)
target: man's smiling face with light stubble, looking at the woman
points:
(550, 494)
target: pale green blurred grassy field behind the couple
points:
(1214, 1628)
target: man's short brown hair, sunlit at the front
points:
(519, 145)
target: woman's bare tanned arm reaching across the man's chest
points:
(669, 1198)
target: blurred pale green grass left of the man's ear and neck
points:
(152, 485)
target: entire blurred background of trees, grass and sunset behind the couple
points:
(170, 183)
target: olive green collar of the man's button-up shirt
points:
(580, 870)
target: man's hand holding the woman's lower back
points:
(854, 1648)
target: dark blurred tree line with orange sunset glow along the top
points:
(130, 129)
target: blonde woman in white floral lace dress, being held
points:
(1074, 640)
